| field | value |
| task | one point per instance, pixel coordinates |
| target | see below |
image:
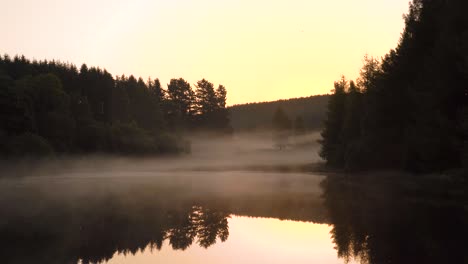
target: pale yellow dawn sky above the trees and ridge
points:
(261, 50)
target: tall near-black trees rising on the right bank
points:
(408, 110)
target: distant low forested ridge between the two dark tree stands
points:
(257, 116)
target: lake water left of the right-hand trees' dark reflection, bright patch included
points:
(83, 218)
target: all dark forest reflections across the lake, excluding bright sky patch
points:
(375, 219)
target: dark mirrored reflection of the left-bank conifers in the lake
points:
(64, 233)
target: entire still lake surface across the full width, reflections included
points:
(139, 216)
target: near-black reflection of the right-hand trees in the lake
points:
(387, 220)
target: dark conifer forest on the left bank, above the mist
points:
(51, 107)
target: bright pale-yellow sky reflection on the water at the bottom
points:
(251, 240)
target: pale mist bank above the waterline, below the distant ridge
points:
(240, 152)
